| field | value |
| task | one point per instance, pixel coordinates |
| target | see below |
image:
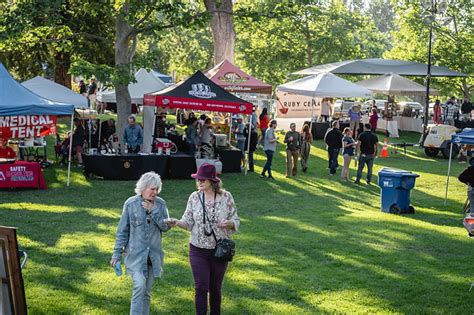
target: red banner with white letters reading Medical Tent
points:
(27, 126)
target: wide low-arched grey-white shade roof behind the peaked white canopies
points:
(381, 66)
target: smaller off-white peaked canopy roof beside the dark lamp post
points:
(393, 84)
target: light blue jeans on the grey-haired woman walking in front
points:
(141, 292)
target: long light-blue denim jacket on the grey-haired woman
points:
(139, 235)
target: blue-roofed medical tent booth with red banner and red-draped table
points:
(25, 116)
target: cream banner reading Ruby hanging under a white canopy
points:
(290, 105)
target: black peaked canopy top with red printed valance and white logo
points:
(198, 93)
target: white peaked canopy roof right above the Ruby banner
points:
(324, 85)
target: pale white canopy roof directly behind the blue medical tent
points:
(55, 92)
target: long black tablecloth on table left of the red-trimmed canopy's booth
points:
(125, 167)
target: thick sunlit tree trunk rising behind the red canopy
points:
(222, 27)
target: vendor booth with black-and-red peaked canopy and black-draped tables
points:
(166, 155)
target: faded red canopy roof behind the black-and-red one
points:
(232, 79)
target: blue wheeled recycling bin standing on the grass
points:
(395, 188)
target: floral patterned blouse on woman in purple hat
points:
(222, 208)
